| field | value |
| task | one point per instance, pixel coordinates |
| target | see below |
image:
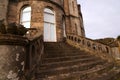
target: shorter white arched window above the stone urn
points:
(26, 17)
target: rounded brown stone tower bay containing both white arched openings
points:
(46, 15)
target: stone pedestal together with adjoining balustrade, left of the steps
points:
(20, 56)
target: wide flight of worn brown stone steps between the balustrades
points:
(64, 62)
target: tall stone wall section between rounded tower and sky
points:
(74, 22)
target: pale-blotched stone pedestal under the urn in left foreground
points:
(12, 57)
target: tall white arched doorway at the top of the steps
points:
(49, 26)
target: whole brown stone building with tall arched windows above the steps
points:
(54, 18)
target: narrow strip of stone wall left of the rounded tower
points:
(3, 9)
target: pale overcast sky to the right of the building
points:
(101, 18)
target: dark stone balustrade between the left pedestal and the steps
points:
(35, 50)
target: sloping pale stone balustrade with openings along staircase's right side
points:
(91, 46)
